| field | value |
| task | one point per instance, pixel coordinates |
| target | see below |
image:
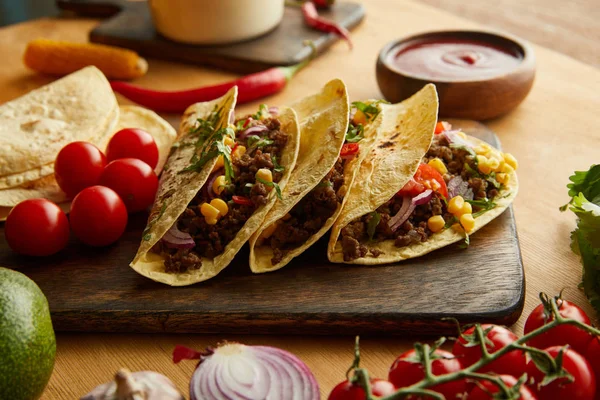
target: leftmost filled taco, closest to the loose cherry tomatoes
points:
(217, 187)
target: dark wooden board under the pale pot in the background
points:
(130, 25)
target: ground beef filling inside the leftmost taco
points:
(211, 239)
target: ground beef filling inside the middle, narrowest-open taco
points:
(309, 215)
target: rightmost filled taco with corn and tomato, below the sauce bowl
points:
(418, 191)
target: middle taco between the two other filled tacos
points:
(331, 149)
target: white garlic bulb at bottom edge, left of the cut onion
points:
(142, 385)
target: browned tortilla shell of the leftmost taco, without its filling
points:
(176, 190)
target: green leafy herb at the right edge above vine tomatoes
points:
(585, 240)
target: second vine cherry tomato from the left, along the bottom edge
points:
(405, 372)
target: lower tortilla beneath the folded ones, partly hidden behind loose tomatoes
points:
(129, 117)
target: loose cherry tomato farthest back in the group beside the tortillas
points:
(133, 143)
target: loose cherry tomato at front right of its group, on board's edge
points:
(98, 216)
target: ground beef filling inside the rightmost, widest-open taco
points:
(355, 237)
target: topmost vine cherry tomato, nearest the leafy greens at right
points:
(577, 338)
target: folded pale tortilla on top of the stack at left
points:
(34, 127)
